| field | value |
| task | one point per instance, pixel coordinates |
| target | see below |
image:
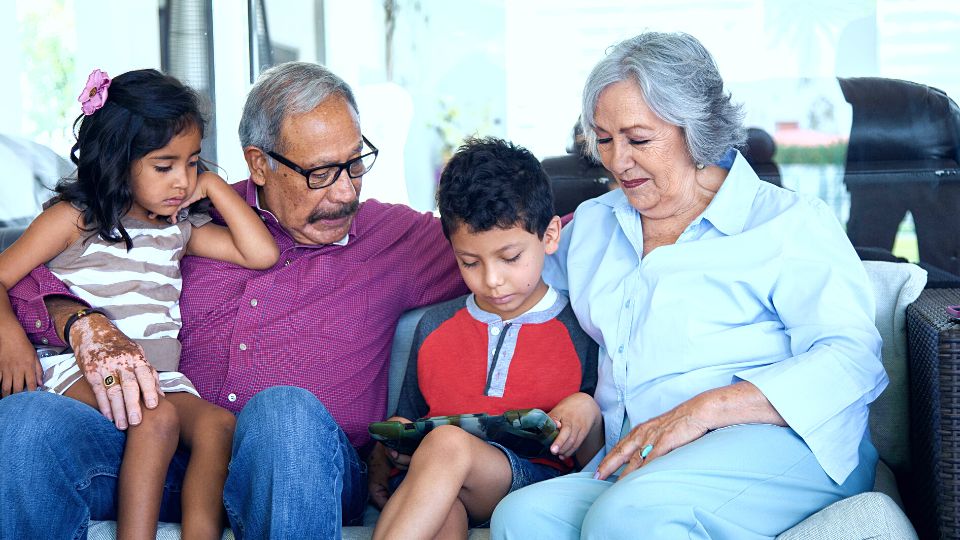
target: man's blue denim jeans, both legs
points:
(292, 470)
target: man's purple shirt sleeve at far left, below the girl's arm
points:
(27, 298)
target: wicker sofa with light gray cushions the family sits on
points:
(910, 423)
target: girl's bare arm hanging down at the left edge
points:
(49, 234)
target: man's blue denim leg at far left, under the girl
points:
(76, 481)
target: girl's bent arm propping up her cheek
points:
(244, 241)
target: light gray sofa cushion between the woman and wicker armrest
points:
(895, 285)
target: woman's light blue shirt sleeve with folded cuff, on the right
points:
(827, 307)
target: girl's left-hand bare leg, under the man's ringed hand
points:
(147, 453)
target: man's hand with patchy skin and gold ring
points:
(102, 350)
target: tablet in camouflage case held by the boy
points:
(528, 432)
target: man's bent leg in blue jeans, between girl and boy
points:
(292, 469)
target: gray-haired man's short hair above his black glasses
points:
(290, 88)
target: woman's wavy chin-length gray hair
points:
(680, 83)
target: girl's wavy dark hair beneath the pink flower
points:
(144, 110)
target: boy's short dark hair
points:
(491, 183)
